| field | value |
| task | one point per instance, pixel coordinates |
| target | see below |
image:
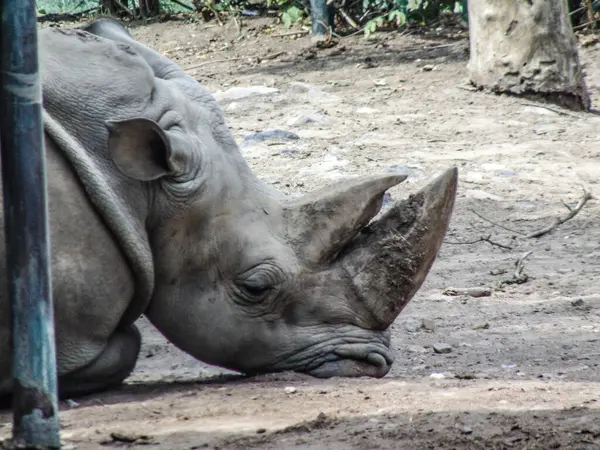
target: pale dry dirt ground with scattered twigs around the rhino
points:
(522, 372)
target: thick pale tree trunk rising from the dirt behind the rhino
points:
(526, 48)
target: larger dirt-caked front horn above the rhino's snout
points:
(389, 260)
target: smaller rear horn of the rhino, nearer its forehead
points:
(323, 222)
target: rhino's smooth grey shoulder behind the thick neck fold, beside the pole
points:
(92, 284)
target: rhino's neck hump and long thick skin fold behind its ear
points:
(86, 81)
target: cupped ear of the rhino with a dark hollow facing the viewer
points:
(140, 148)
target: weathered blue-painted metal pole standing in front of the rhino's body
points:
(35, 409)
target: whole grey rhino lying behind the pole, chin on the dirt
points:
(154, 211)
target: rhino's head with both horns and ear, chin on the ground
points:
(251, 280)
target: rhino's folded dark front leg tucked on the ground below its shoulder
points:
(110, 368)
